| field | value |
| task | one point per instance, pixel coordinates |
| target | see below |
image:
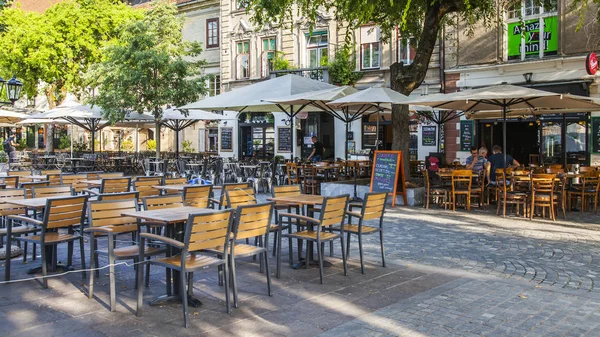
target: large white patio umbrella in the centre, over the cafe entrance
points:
(254, 97)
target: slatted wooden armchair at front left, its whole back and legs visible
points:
(65, 213)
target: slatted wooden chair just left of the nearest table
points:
(105, 219)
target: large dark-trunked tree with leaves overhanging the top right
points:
(421, 19)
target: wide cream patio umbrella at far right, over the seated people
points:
(506, 97)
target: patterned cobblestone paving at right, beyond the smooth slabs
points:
(564, 253)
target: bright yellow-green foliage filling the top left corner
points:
(57, 47)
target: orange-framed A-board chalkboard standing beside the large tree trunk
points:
(388, 173)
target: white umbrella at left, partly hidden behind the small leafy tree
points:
(85, 116)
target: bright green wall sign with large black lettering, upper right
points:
(531, 31)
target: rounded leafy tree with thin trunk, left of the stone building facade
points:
(149, 68)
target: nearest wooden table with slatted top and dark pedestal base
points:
(172, 217)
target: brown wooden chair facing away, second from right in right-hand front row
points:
(542, 194)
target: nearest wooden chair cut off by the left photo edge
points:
(7, 209)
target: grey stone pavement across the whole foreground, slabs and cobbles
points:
(448, 274)
